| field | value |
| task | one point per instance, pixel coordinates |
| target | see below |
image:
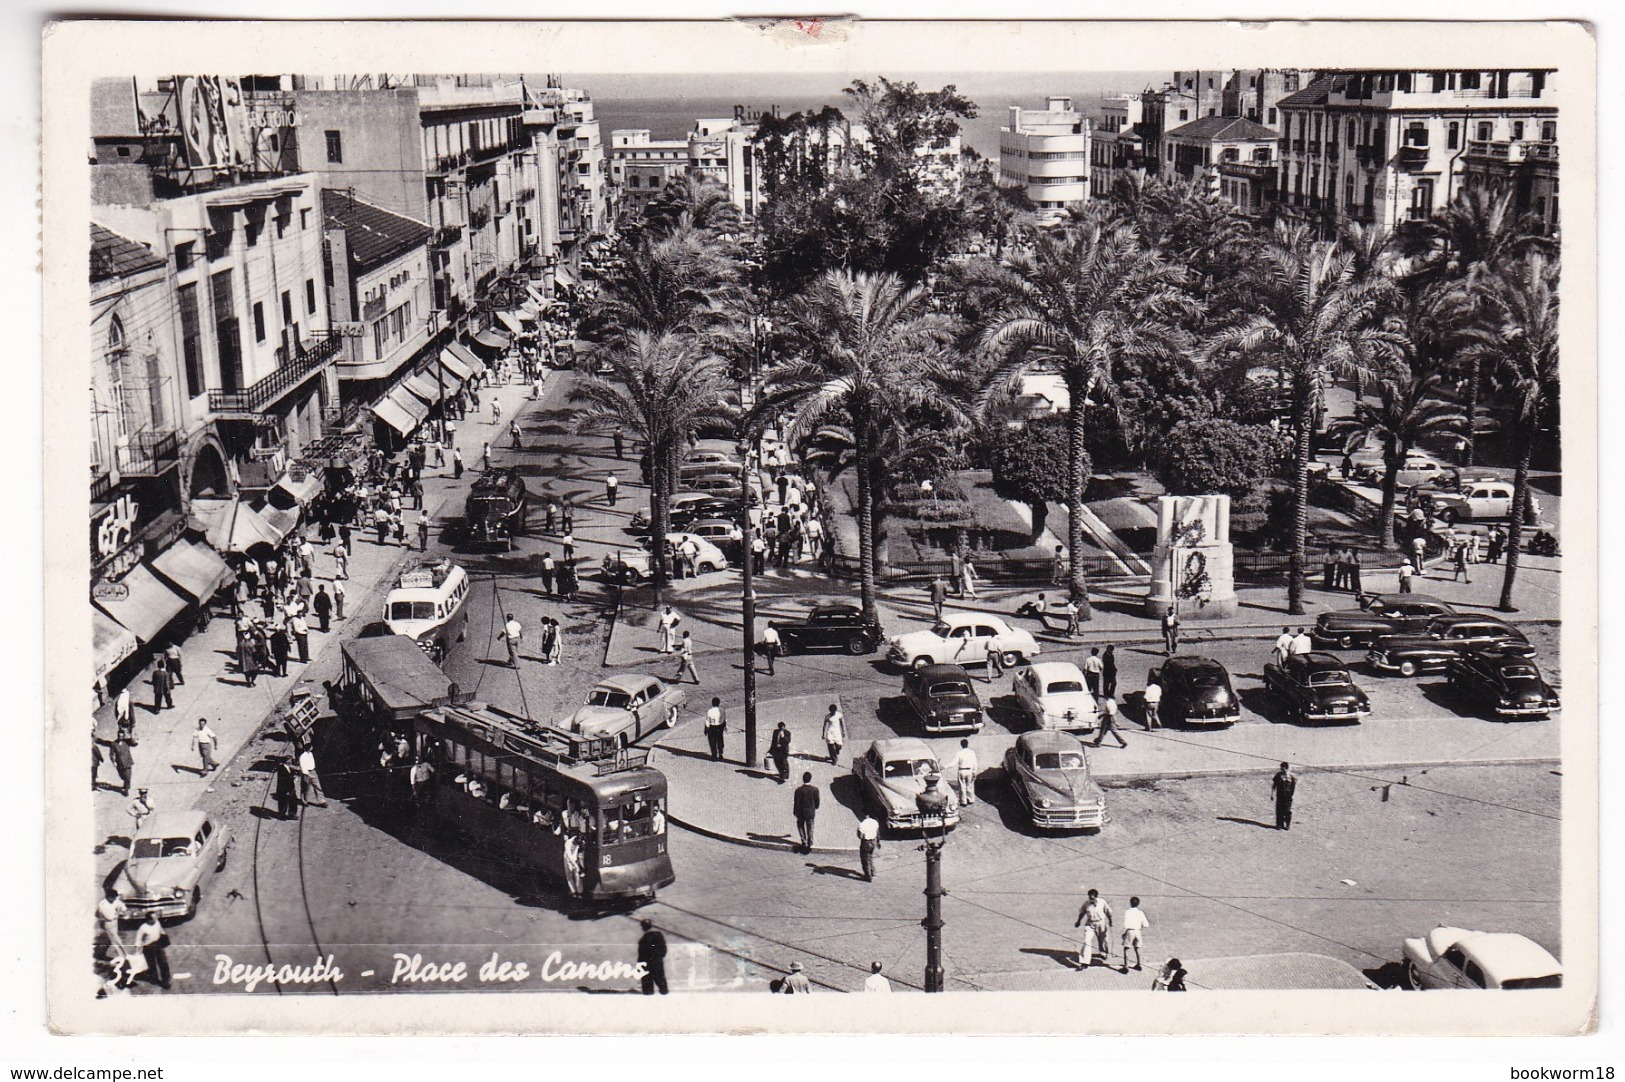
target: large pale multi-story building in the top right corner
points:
(1397, 147)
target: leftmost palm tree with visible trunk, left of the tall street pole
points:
(661, 391)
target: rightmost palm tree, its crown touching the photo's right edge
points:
(1517, 344)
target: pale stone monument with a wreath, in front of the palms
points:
(1194, 569)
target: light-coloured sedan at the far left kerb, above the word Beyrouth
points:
(170, 857)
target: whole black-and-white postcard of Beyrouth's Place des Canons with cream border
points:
(1038, 516)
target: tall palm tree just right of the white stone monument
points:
(1319, 322)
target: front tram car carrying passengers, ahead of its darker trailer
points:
(578, 813)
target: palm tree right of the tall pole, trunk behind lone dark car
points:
(865, 348)
